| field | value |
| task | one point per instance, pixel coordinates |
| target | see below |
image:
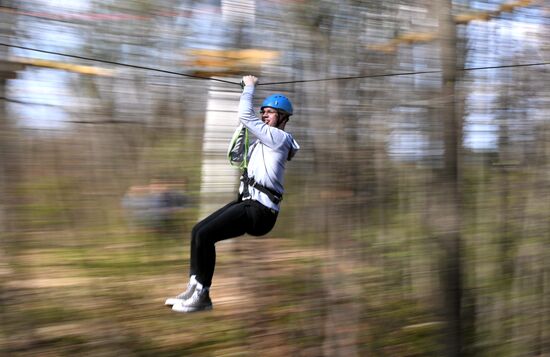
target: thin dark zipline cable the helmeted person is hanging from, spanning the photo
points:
(268, 83)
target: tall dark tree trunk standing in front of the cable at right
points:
(449, 185)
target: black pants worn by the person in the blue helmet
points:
(233, 220)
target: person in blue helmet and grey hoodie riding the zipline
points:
(260, 193)
